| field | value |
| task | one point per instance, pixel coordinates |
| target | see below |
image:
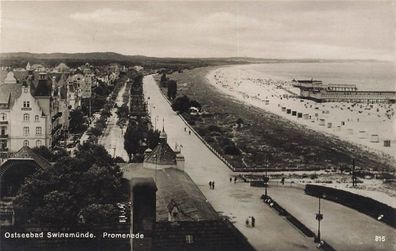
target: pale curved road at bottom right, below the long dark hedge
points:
(342, 227)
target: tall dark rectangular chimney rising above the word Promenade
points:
(143, 215)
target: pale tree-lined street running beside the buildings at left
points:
(113, 138)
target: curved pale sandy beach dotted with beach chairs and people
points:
(369, 126)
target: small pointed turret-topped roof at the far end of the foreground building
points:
(162, 154)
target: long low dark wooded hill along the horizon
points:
(20, 59)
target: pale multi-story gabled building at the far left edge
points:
(24, 117)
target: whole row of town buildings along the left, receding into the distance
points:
(35, 103)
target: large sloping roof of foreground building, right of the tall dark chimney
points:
(176, 188)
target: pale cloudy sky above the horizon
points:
(345, 29)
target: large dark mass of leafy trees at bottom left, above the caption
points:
(74, 191)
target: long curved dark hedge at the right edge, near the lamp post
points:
(358, 202)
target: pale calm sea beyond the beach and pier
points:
(366, 75)
